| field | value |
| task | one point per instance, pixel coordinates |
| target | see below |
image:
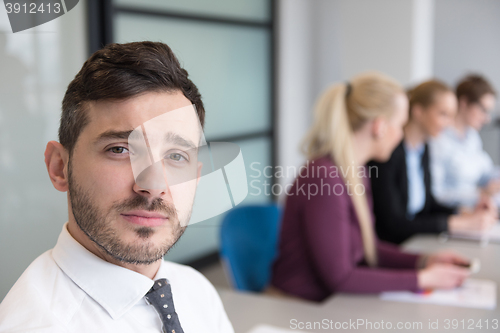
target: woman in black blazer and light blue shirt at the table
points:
(403, 202)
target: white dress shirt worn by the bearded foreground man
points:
(69, 289)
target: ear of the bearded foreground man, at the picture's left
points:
(56, 160)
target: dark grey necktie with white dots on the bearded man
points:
(160, 296)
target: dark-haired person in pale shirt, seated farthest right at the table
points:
(461, 170)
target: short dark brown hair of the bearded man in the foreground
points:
(120, 71)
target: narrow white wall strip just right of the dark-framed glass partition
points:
(295, 89)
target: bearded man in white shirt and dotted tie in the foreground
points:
(100, 275)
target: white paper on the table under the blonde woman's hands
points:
(474, 293)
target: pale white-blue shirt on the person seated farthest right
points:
(459, 166)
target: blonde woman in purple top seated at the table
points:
(327, 241)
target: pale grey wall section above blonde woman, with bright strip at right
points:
(391, 36)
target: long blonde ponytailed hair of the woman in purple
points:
(336, 117)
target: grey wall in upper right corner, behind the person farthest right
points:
(467, 40)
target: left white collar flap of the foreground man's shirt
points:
(115, 288)
